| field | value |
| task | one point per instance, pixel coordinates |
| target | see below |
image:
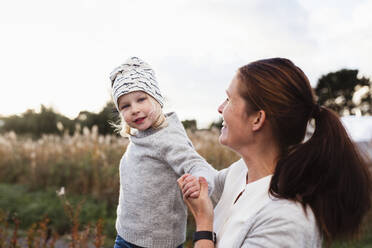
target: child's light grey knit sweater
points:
(151, 212)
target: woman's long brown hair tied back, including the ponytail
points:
(327, 172)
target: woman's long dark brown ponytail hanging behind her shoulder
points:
(329, 174)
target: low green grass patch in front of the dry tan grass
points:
(32, 207)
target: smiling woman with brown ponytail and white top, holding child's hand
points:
(284, 192)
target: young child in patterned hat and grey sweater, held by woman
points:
(151, 211)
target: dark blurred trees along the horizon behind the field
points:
(343, 91)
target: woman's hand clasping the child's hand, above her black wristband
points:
(201, 207)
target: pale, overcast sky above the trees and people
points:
(60, 53)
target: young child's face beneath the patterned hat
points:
(138, 109)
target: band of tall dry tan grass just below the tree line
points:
(85, 163)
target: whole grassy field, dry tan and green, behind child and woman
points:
(62, 191)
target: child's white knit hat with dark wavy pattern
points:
(134, 75)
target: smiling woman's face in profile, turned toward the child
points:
(235, 132)
